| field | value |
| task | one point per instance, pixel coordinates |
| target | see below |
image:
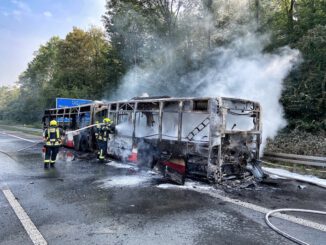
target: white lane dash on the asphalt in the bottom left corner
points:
(30, 228)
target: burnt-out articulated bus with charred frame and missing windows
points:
(203, 137)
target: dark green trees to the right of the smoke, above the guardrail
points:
(301, 24)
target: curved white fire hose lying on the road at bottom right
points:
(286, 235)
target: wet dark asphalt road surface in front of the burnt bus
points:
(85, 202)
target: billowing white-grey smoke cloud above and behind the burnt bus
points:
(239, 68)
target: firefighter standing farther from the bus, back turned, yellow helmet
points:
(52, 138)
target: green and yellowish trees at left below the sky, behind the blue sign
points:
(83, 65)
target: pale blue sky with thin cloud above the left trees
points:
(26, 24)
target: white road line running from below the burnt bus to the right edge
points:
(213, 193)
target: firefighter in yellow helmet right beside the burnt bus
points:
(103, 138)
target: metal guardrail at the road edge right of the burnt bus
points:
(298, 159)
